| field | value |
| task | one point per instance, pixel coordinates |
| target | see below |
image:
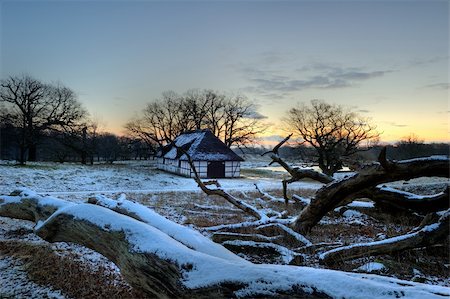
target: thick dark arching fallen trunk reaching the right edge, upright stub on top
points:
(331, 195)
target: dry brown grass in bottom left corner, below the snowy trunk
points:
(74, 279)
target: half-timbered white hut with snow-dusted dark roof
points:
(211, 157)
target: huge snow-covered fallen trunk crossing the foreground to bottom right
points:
(162, 267)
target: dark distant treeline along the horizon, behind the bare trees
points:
(107, 147)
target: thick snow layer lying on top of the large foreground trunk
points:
(208, 270)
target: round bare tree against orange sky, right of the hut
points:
(333, 131)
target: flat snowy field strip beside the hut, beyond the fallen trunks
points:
(76, 181)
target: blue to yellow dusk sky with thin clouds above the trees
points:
(387, 60)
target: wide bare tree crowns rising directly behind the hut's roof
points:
(233, 119)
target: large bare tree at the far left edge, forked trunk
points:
(35, 107)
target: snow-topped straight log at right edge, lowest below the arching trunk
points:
(428, 235)
